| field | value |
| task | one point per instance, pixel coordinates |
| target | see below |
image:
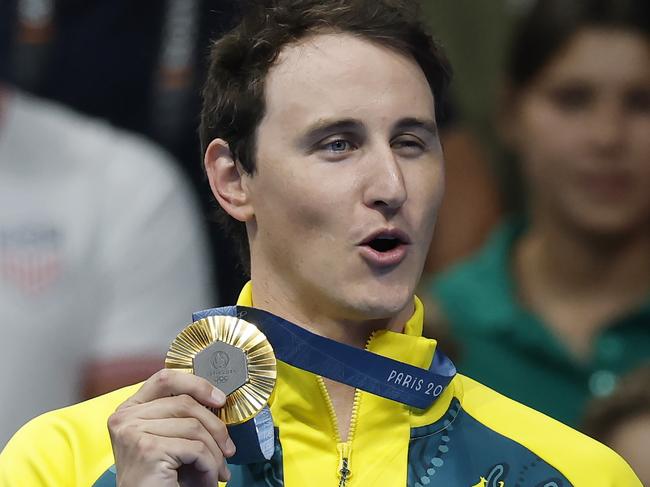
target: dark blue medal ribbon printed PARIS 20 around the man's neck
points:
(358, 368)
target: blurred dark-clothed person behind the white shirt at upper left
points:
(139, 65)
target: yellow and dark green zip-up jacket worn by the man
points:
(470, 437)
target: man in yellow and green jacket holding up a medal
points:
(319, 122)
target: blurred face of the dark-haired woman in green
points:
(581, 128)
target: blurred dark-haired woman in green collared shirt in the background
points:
(557, 304)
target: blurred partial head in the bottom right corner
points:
(622, 420)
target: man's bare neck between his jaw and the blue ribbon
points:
(318, 317)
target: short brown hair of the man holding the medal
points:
(233, 94)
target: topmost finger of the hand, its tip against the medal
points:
(167, 382)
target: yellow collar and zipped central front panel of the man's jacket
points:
(310, 443)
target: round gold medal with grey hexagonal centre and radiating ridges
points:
(235, 356)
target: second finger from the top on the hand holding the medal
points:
(184, 407)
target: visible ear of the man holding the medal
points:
(226, 181)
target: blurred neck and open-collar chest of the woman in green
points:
(578, 285)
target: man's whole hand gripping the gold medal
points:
(164, 435)
